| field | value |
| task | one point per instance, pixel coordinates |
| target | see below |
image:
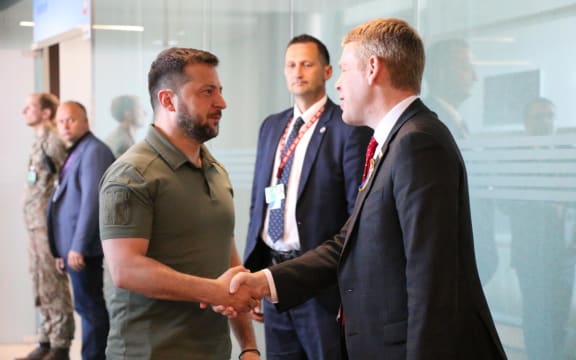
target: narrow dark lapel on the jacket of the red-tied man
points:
(414, 108)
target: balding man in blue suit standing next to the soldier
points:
(73, 224)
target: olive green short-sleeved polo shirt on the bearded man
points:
(187, 214)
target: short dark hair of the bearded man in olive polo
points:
(167, 69)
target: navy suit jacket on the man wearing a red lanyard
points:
(328, 186)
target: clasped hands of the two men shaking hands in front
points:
(237, 291)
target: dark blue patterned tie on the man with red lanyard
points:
(276, 216)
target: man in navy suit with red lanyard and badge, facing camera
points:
(302, 196)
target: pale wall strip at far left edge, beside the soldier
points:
(17, 318)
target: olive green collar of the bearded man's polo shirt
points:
(171, 154)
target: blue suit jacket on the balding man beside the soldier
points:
(73, 208)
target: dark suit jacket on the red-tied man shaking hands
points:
(404, 261)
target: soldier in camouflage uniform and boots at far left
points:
(51, 289)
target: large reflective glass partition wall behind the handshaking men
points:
(500, 73)
